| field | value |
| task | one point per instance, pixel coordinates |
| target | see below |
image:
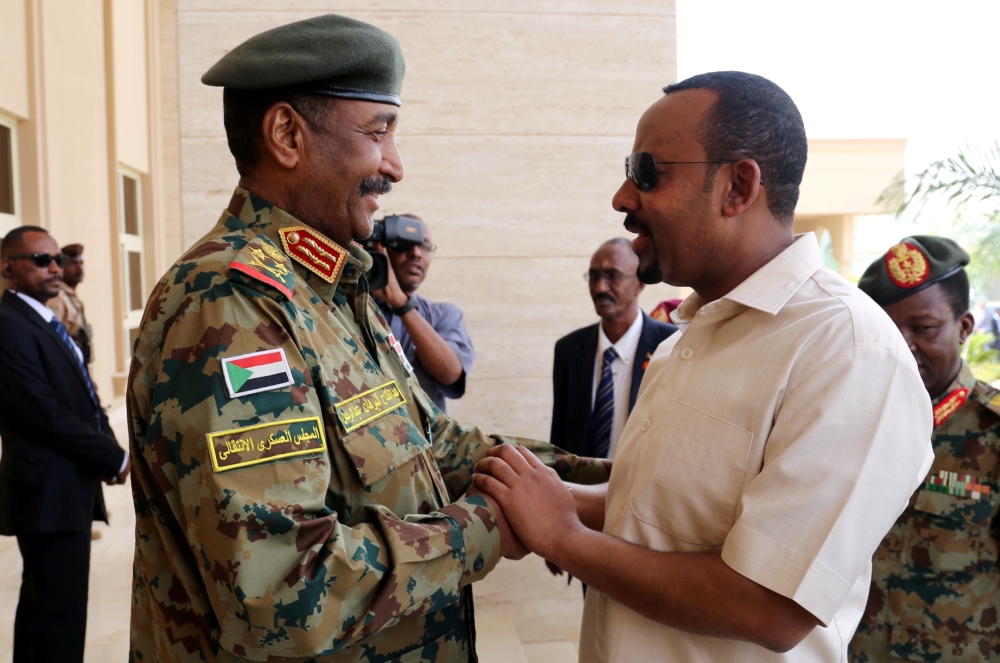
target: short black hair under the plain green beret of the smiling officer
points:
(243, 114)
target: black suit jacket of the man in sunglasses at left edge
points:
(53, 455)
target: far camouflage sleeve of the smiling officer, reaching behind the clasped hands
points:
(458, 449)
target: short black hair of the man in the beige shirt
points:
(755, 119)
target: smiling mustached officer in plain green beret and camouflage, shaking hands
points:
(298, 496)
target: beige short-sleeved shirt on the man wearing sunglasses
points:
(786, 426)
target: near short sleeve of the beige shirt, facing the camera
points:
(850, 444)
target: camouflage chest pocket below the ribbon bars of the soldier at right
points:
(950, 531)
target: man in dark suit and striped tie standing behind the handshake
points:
(597, 369)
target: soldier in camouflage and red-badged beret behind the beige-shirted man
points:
(935, 584)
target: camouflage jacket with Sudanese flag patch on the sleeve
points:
(297, 496)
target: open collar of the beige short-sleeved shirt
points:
(770, 287)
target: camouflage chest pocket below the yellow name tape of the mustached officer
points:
(383, 445)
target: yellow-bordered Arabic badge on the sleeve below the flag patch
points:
(266, 443)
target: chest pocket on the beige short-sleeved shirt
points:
(689, 480)
